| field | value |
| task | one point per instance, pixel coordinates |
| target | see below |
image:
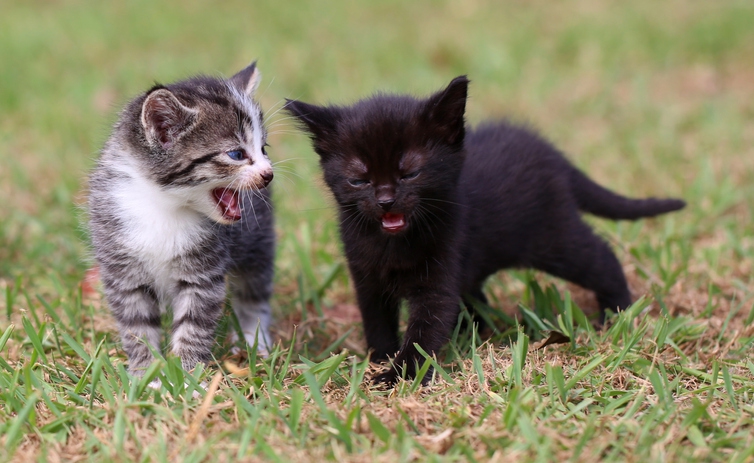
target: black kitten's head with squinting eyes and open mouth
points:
(393, 160)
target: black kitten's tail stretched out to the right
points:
(600, 201)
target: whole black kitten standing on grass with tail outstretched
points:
(429, 209)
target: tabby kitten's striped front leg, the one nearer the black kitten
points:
(196, 310)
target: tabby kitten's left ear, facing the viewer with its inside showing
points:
(164, 118)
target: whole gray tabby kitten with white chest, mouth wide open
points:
(178, 200)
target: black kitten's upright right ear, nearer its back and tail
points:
(445, 110)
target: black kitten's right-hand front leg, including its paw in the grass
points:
(433, 314)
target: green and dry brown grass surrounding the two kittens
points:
(649, 98)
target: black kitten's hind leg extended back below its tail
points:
(585, 259)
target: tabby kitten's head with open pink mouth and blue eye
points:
(203, 141)
